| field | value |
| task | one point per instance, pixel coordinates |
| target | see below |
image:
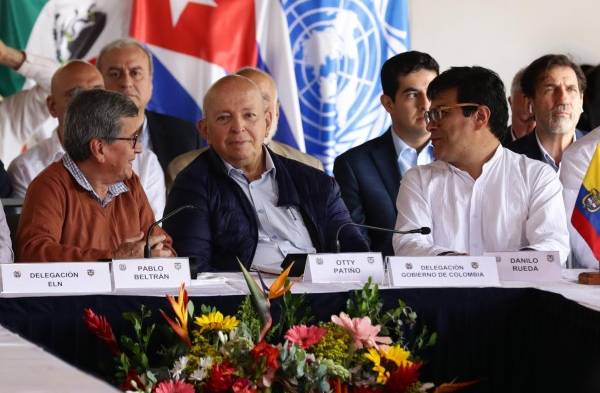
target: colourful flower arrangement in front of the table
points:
(361, 350)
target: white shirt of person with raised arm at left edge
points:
(24, 113)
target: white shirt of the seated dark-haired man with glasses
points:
(515, 203)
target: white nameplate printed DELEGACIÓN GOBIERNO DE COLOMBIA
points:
(450, 271)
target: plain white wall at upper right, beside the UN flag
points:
(505, 35)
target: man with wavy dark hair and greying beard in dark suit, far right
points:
(554, 86)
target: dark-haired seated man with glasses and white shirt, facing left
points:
(478, 196)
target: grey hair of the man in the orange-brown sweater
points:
(94, 114)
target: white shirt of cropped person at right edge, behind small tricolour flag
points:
(574, 165)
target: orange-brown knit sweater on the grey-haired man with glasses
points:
(61, 221)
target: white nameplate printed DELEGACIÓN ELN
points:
(56, 277)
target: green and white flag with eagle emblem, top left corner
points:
(59, 29)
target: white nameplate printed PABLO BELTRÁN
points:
(150, 273)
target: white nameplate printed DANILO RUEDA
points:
(532, 266)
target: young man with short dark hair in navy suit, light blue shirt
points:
(369, 175)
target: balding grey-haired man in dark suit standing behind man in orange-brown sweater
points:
(126, 66)
